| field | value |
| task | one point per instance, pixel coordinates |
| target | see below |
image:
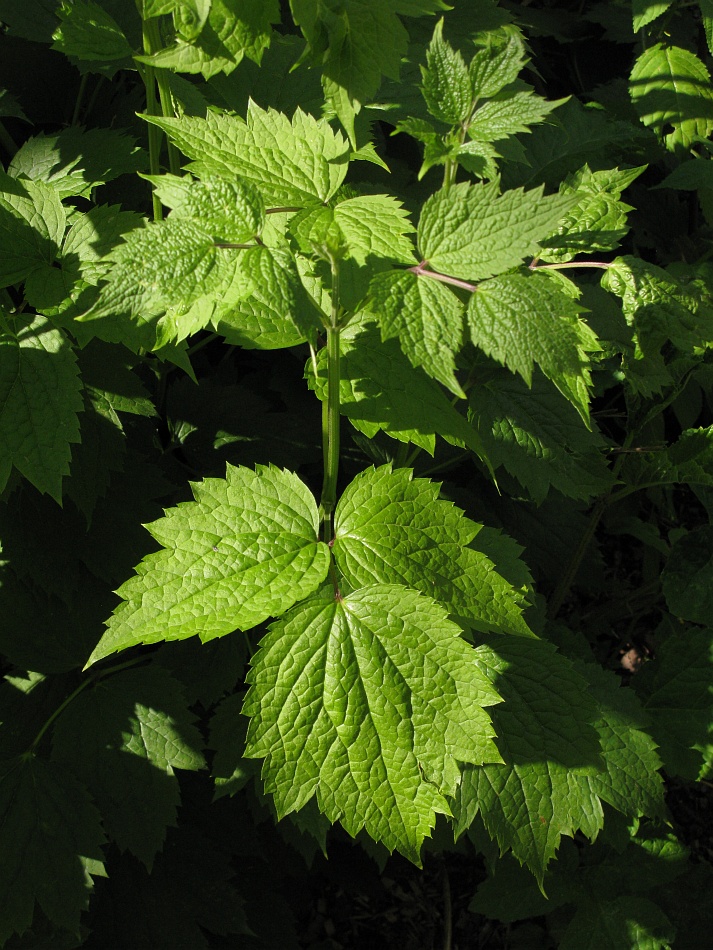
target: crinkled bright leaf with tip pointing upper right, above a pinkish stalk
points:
(598, 220)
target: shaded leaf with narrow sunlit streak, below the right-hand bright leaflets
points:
(538, 438)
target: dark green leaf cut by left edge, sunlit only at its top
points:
(40, 397)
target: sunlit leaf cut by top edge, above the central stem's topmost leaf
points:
(217, 39)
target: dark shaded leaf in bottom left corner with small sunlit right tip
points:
(49, 824)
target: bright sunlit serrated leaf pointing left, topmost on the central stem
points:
(301, 162)
